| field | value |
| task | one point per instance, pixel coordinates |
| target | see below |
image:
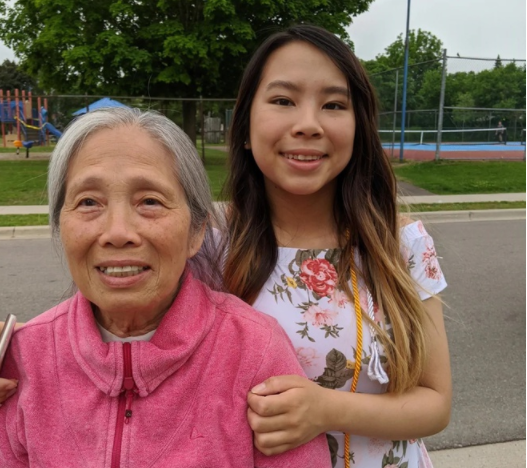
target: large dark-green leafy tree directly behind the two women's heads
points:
(169, 48)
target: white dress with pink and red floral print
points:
(302, 295)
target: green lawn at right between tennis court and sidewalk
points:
(464, 177)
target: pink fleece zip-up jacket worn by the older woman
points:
(177, 401)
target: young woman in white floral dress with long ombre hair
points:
(314, 239)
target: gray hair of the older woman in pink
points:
(188, 170)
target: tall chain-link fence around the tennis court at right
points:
(454, 100)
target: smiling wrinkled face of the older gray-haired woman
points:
(125, 223)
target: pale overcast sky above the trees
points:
(474, 28)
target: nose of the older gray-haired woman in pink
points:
(119, 227)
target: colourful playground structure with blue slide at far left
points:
(21, 124)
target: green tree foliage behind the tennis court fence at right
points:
(502, 87)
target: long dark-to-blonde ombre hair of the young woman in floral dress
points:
(364, 208)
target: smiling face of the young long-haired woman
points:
(302, 122)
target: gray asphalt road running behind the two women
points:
(484, 263)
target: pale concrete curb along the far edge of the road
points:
(430, 217)
